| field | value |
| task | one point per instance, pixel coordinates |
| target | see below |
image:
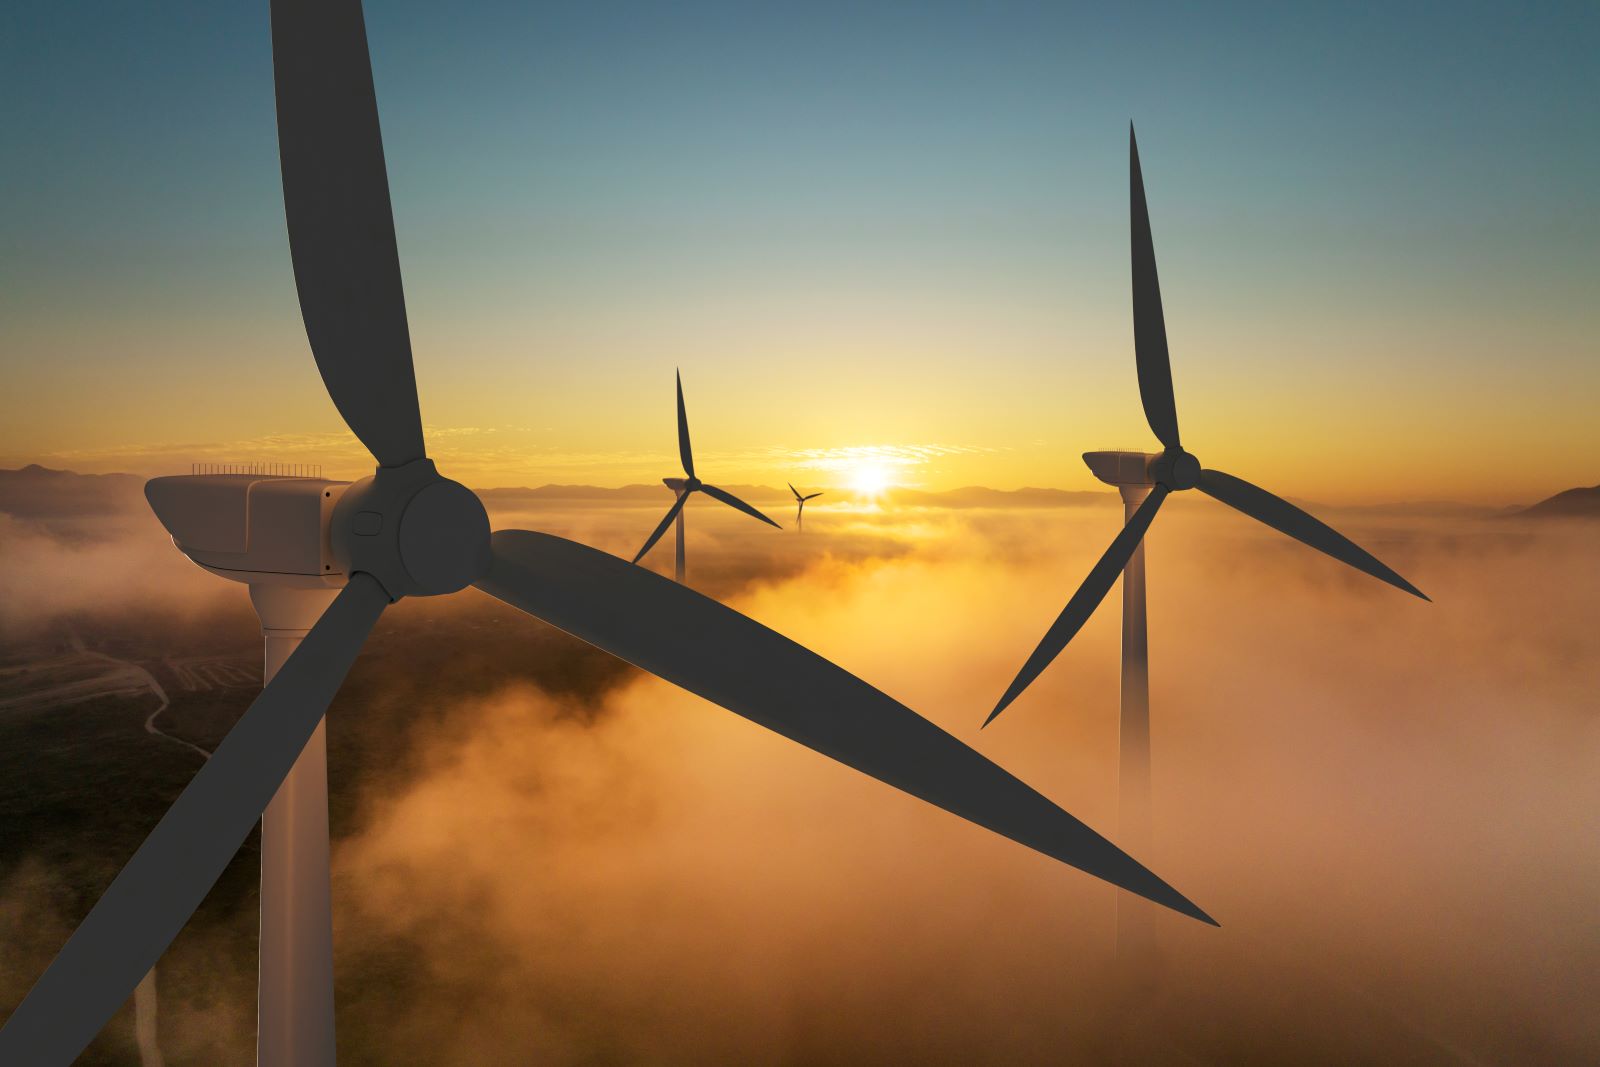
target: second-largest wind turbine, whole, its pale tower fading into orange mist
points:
(1145, 481)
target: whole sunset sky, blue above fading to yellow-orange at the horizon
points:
(892, 238)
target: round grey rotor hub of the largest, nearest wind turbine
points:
(418, 533)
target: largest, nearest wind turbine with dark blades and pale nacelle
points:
(409, 532)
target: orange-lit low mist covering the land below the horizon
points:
(1390, 805)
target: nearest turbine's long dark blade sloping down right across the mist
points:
(734, 661)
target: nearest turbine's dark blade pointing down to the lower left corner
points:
(164, 884)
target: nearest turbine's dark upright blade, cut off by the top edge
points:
(342, 226)
